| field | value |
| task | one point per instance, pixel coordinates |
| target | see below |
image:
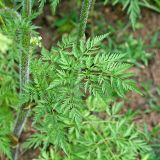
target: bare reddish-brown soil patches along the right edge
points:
(151, 22)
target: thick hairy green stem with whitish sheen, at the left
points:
(24, 79)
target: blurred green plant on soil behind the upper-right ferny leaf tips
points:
(135, 49)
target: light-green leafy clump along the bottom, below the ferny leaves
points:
(110, 139)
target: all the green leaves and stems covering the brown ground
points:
(73, 94)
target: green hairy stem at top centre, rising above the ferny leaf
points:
(83, 19)
